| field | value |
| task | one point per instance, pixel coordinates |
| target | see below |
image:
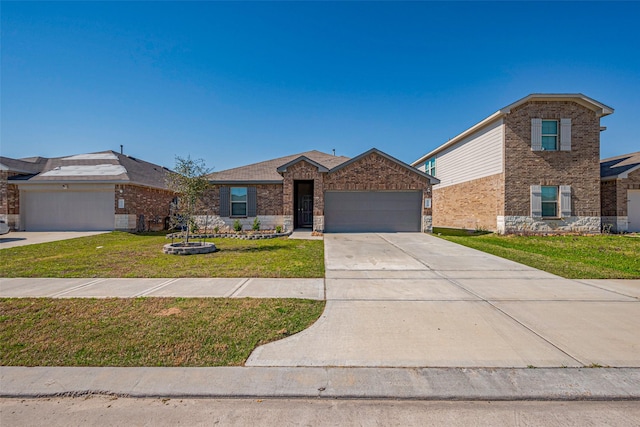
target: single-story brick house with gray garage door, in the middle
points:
(323, 192)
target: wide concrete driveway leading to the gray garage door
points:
(414, 300)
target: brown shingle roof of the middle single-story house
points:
(267, 171)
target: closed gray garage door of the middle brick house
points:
(363, 211)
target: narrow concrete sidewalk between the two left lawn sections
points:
(130, 288)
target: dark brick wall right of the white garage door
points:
(153, 203)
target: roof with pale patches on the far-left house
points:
(104, 166)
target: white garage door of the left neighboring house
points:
(67, 210)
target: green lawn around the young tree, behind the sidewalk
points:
(120, 254)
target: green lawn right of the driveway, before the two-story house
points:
(573, 257)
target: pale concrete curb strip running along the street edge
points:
(558, 384)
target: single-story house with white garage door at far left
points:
(96, 191)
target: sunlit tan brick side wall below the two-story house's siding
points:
(470, 205)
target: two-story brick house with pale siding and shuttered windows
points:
(532, 166)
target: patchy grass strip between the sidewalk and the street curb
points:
(145, 331)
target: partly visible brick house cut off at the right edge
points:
(620, 192)
